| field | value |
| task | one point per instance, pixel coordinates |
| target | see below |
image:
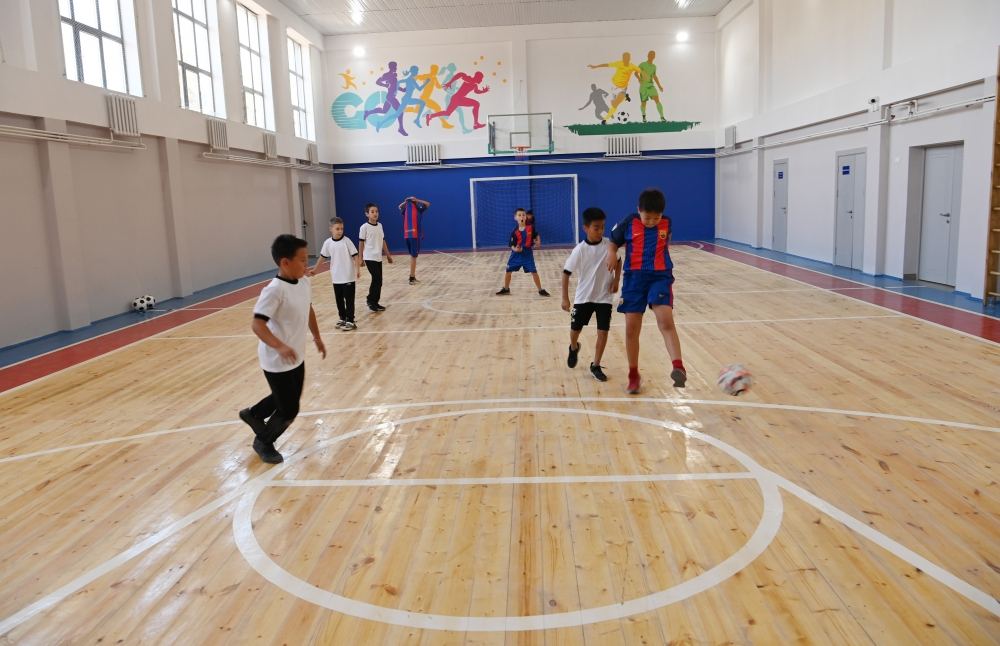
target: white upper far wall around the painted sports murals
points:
(545, 67)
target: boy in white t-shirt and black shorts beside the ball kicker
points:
(595, 286)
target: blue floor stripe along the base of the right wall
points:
(917, 288)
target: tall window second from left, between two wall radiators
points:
(198, 65)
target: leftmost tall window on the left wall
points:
(99, 43)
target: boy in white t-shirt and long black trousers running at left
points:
(281, 317)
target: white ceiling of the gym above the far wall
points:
(334, 17)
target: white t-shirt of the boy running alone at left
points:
(285, 305)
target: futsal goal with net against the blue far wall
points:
(552, 199)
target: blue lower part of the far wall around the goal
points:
(689, 185)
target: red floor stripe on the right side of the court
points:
(969, 322)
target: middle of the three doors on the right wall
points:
(850, 221)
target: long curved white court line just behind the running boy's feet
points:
(503, 401)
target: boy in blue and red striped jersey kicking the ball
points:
(649, 280)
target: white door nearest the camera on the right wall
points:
(939, 221)
